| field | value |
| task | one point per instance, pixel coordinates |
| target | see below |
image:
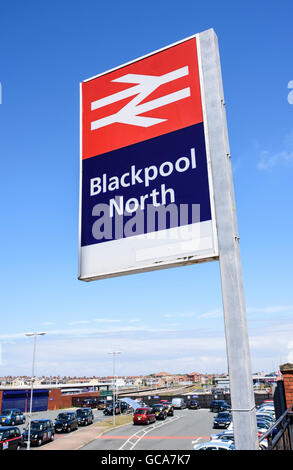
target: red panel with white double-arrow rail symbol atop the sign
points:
(148, 98)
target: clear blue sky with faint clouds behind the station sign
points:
(167, 320)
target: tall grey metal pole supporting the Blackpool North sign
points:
(237, 342)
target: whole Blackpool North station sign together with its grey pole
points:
(156, 187)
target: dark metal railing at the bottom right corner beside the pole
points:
(280, 435)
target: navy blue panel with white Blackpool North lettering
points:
(122, 184)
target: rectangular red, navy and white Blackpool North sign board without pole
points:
(146, 196)
